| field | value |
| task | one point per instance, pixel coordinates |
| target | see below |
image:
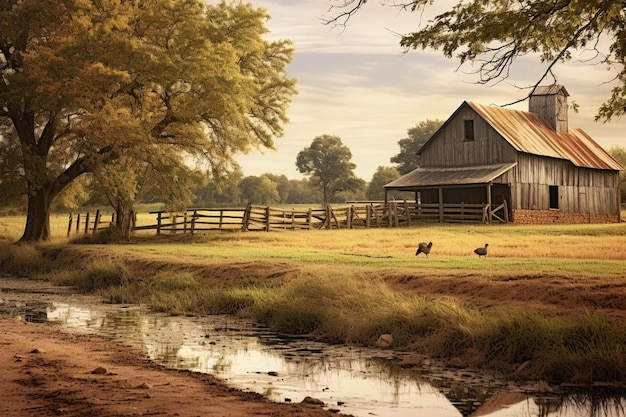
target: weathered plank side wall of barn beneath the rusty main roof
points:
(581, 190)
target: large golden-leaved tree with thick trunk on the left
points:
(85, 82)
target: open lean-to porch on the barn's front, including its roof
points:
(455, 194)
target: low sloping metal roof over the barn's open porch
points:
(437, 176)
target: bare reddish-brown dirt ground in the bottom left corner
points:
(46, 372)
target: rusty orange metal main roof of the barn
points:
(528, 133)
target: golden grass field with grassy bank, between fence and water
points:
(545, 300)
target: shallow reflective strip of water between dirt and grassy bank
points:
(353, 380)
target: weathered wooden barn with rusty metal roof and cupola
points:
(524, 167)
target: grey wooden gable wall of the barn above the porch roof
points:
(450, 149)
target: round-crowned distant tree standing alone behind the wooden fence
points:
(327, 163)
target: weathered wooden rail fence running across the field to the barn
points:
(345, 216)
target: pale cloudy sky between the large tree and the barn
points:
(357, 82)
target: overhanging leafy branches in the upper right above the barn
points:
(492, 34)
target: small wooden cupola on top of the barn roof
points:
(550, 103)
